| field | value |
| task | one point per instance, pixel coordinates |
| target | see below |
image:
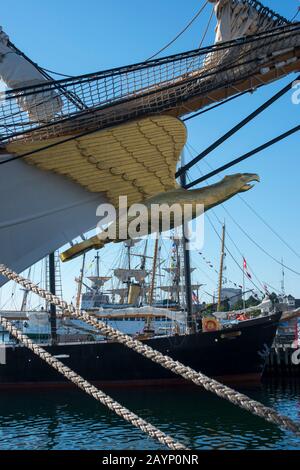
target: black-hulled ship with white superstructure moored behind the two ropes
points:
(229, 346)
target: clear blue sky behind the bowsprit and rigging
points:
(76, 37)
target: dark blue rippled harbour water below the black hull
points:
(67, 419)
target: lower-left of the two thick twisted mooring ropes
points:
(91, 390)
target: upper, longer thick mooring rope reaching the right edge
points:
(167, 362)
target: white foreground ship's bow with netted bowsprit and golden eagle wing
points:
(76, 143)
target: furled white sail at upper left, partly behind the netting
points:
(16, 72)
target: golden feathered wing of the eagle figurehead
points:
(137, 159)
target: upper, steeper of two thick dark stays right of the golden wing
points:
(236, 128)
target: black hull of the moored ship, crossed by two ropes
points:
(235, 355)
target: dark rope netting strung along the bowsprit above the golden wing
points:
(103, 99)
